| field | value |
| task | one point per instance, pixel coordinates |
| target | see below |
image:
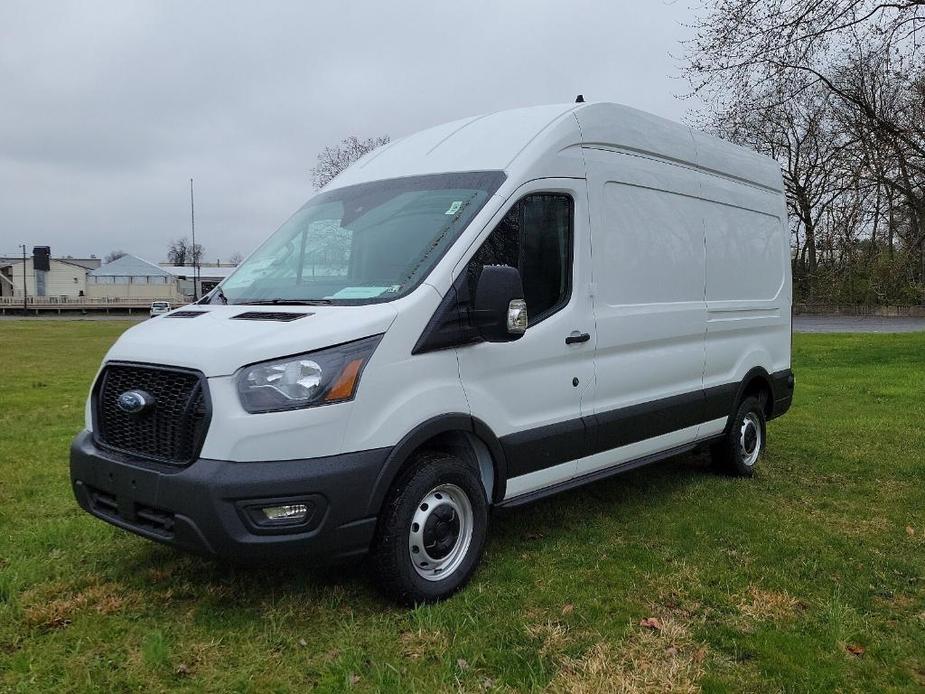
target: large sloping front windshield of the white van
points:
(361, 244)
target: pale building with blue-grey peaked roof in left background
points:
(131, 277)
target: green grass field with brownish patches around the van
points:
(809, 577)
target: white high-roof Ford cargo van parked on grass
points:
(475, 316)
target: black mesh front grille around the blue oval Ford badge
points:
(172, 431)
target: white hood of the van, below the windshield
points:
(219, 341)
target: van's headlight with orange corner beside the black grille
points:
(318, 378)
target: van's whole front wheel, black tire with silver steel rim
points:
(432, 530)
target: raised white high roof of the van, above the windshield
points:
(519, 140)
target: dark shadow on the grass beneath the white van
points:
(187, 577)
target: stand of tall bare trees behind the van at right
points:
(835, 91)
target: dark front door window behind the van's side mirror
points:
(535, 236)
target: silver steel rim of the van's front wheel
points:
(440, 532)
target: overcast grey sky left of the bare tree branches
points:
(108, 108)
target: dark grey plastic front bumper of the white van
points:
(203, 507)
